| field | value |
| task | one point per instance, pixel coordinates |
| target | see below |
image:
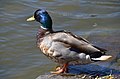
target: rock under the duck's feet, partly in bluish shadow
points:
(90, 71)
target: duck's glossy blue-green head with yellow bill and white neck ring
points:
(42, 17)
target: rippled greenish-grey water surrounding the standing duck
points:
(98, 21)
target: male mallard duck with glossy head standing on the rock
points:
(64, 47)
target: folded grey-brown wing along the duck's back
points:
(77, 42)
